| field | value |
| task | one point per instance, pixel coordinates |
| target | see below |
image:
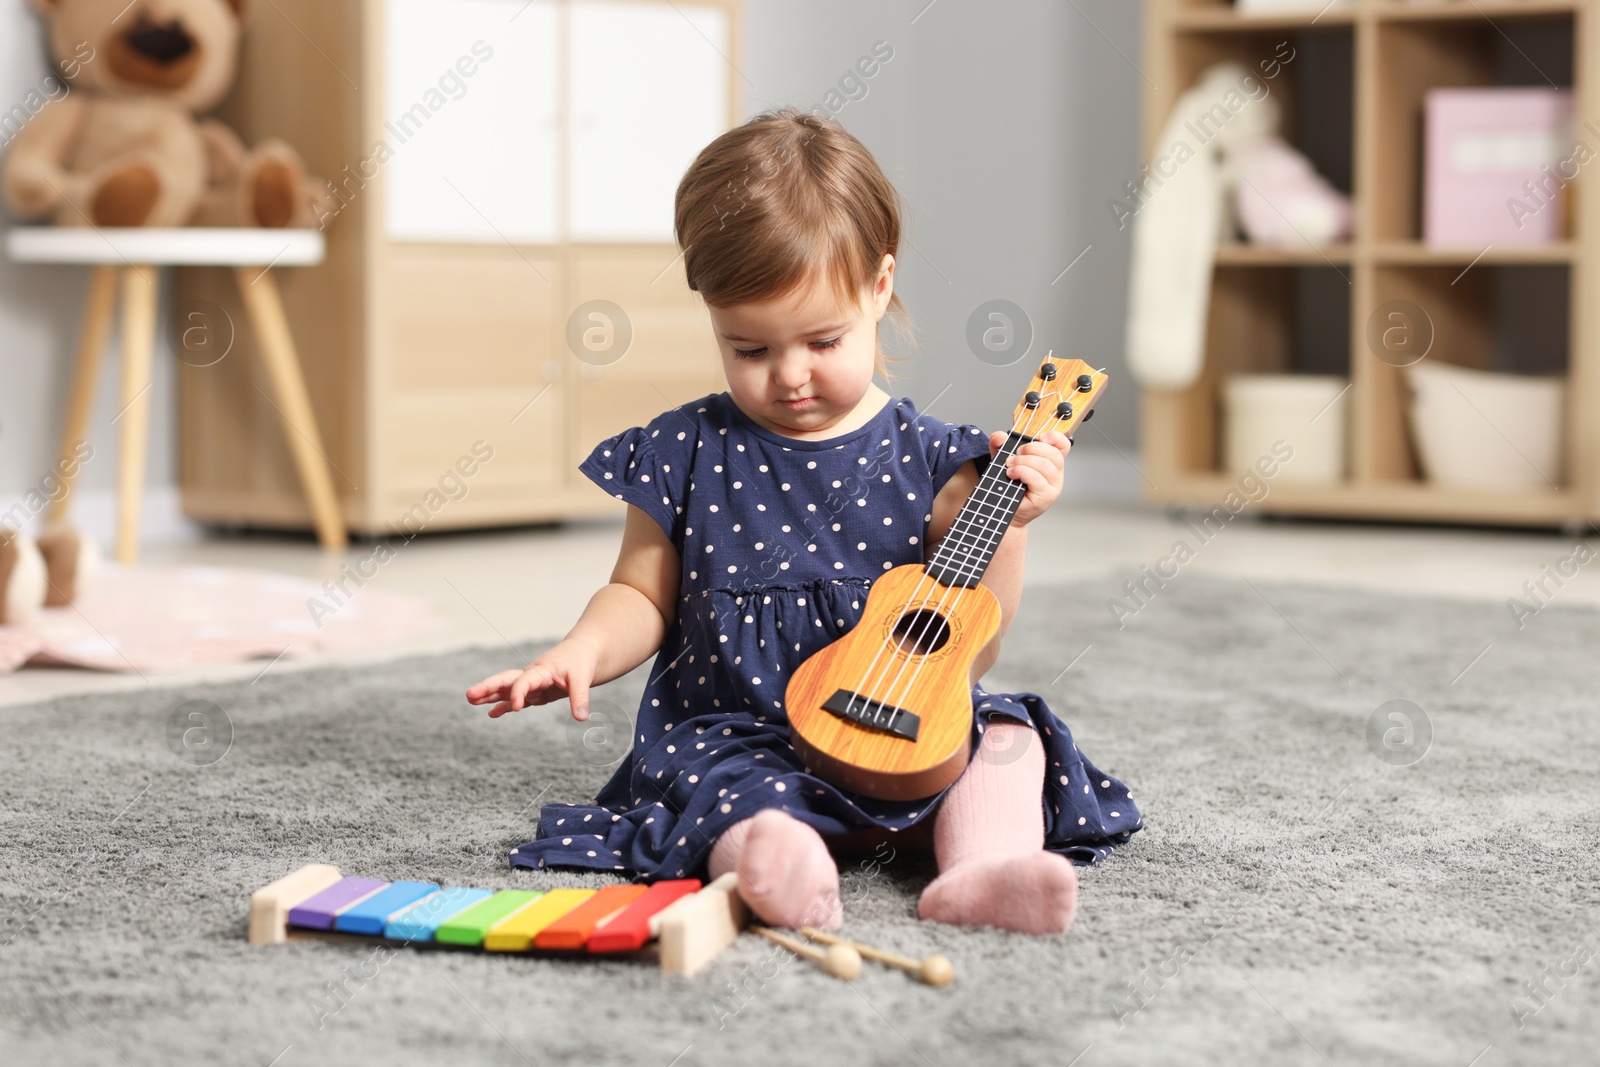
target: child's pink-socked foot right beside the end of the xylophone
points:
(786, 873)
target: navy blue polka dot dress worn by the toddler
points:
(782, 541)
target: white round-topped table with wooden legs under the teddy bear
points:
(138, 255)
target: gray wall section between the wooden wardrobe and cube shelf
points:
(1007, 127)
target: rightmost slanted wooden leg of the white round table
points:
(289, 386)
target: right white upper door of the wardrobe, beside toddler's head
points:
(649, 92)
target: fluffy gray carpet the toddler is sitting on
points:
(1295, 898)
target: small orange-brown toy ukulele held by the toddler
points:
(887, 709)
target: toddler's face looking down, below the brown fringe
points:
(802, 348)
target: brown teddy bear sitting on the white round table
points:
(122, 146)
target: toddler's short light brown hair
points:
(782, 199)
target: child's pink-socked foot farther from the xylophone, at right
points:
(1034, 893)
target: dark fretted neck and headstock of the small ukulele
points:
(1060, 399)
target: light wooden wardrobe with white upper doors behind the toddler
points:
(502, 230)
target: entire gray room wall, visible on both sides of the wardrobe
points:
(1006, 126)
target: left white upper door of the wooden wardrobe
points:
(471, 121)
